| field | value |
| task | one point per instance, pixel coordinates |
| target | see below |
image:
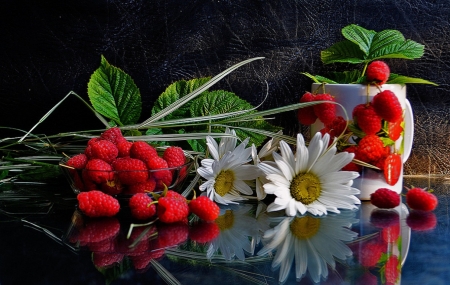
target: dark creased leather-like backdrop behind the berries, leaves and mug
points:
(49, 48)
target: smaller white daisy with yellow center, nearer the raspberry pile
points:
(227, 170)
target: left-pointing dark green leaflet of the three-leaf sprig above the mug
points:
(344, 51)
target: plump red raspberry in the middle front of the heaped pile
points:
(130, 170)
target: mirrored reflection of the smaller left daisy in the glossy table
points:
(236, 232)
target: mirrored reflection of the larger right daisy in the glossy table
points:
(313, 242)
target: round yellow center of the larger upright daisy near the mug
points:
(305, 188)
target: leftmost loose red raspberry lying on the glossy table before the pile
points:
(95, 203)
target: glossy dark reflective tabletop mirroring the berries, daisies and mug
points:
(45, 240)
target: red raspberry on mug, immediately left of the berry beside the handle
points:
(367, 119)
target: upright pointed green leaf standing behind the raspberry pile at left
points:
(114, 94)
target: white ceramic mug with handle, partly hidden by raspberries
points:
(351, 95)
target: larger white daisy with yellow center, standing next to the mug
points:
(310, 180)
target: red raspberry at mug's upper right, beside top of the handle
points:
(387, 106)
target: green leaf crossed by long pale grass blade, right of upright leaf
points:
(174, 92)
